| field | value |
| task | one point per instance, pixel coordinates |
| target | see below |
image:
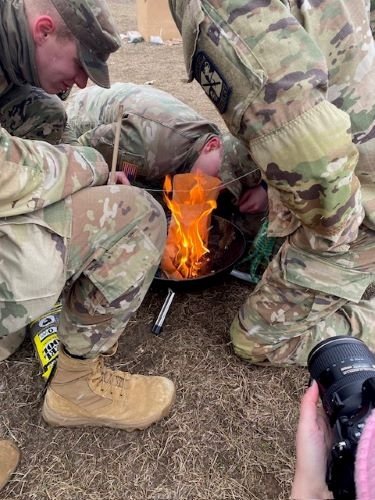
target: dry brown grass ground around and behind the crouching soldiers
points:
(231, 432)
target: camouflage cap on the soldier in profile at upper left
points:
(93, 27)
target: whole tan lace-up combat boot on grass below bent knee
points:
(85, 392)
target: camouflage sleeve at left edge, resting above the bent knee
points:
(35, 174)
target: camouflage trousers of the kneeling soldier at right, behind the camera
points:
(292, 309)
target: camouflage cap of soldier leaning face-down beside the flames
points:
(237, 163)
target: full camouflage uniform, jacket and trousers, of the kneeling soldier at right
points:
(293, 79)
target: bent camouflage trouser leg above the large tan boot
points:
(118, 235)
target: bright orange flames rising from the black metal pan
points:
(191, 199)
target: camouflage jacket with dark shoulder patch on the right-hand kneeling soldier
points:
(293, 79)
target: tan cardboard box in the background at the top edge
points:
(155, 19)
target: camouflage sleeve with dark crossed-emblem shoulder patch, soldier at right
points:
(269, 79)
